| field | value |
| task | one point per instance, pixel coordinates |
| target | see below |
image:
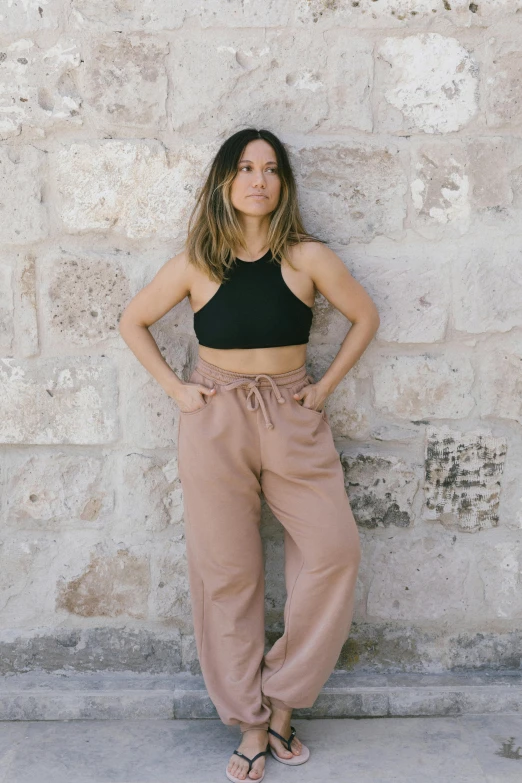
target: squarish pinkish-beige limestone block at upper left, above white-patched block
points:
(125, 82)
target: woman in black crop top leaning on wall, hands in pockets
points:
(252, 420)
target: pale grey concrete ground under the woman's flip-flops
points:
(465, 749)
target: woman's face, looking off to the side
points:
(256, 187)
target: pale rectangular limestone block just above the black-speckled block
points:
(413, 387)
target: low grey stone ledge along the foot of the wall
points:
(128, 696)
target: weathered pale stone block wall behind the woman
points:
(403, 120)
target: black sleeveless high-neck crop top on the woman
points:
(253, 308)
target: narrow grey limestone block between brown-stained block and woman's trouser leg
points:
(170, 596)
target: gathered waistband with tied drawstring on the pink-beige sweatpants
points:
(230, 380)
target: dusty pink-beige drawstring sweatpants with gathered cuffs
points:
(252, 436)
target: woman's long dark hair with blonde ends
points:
(214, 229)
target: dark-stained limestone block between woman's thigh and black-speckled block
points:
(381, 490)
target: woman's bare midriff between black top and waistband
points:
(256, 360)
